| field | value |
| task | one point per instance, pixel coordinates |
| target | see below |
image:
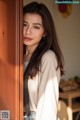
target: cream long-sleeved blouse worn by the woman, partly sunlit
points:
(44, 89)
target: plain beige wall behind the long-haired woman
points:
(68, 33)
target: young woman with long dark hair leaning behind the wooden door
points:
(43, 64)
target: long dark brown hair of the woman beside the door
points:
(50, 41)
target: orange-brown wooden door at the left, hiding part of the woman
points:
(11, 58)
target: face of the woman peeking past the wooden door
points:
(33, 29)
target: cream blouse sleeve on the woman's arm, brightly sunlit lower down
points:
(48, 93)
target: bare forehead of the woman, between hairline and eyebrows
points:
(33, 17)
